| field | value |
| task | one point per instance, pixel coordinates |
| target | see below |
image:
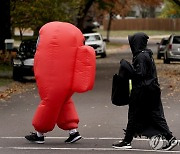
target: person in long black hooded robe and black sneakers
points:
(145, 115)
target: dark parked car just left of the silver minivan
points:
(161, 47)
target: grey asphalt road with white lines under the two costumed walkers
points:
(101, 123)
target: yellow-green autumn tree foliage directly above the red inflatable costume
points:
(34, 14)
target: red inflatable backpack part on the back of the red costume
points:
(84, 71)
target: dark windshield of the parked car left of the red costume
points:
(27, 49)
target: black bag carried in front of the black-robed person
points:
(120, 91)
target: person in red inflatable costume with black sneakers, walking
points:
(62, 65)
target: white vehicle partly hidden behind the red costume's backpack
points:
(96, 41)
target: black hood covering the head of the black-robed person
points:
(138, 42)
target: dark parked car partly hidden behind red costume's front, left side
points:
(24, 60)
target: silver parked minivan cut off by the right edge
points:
(172, 50)
